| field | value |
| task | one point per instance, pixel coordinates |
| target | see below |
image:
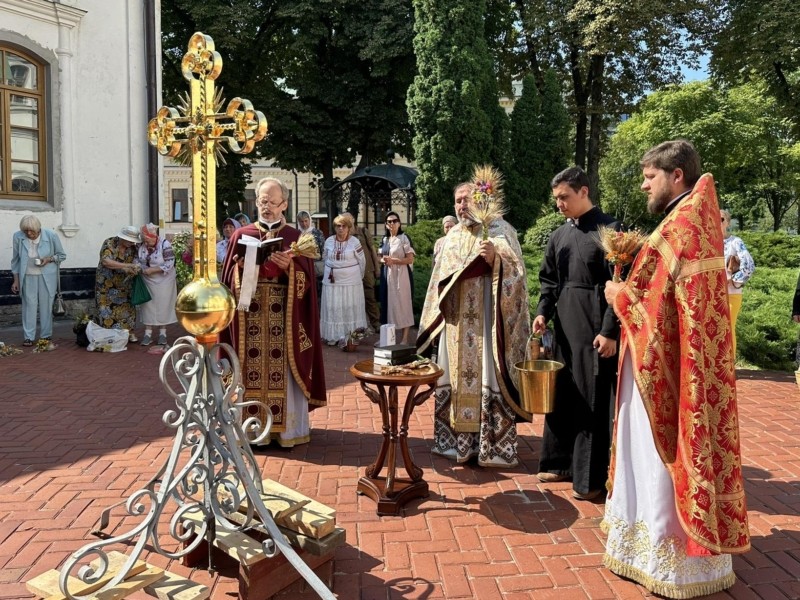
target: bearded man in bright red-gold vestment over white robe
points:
(676, 509)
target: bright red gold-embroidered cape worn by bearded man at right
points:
(676, 324)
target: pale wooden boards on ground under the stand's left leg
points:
(155, 582)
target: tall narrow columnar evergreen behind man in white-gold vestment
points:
(453, 100)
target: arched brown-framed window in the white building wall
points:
(23, 149)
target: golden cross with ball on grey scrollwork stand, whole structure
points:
(211, 472)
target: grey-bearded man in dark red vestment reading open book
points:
(276, 329)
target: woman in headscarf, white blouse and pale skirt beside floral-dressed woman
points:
(156, 258)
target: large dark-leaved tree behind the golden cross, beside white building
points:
(330, 76)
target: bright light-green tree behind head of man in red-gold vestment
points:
(740, 136)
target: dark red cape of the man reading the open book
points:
(303, 344)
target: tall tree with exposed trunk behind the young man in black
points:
(609, 53)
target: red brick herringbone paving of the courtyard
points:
(81, 431)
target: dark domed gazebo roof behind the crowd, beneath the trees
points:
(371, 192)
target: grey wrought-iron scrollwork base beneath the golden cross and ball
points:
(211, 472)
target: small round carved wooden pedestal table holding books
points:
(392, 492)
